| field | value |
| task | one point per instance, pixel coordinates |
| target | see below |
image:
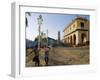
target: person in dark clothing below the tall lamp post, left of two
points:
(36, 57)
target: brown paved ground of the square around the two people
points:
(62, 56)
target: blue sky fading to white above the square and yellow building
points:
(51, 22)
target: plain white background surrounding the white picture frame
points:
(5, 39)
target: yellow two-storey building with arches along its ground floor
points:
(77, 32)
